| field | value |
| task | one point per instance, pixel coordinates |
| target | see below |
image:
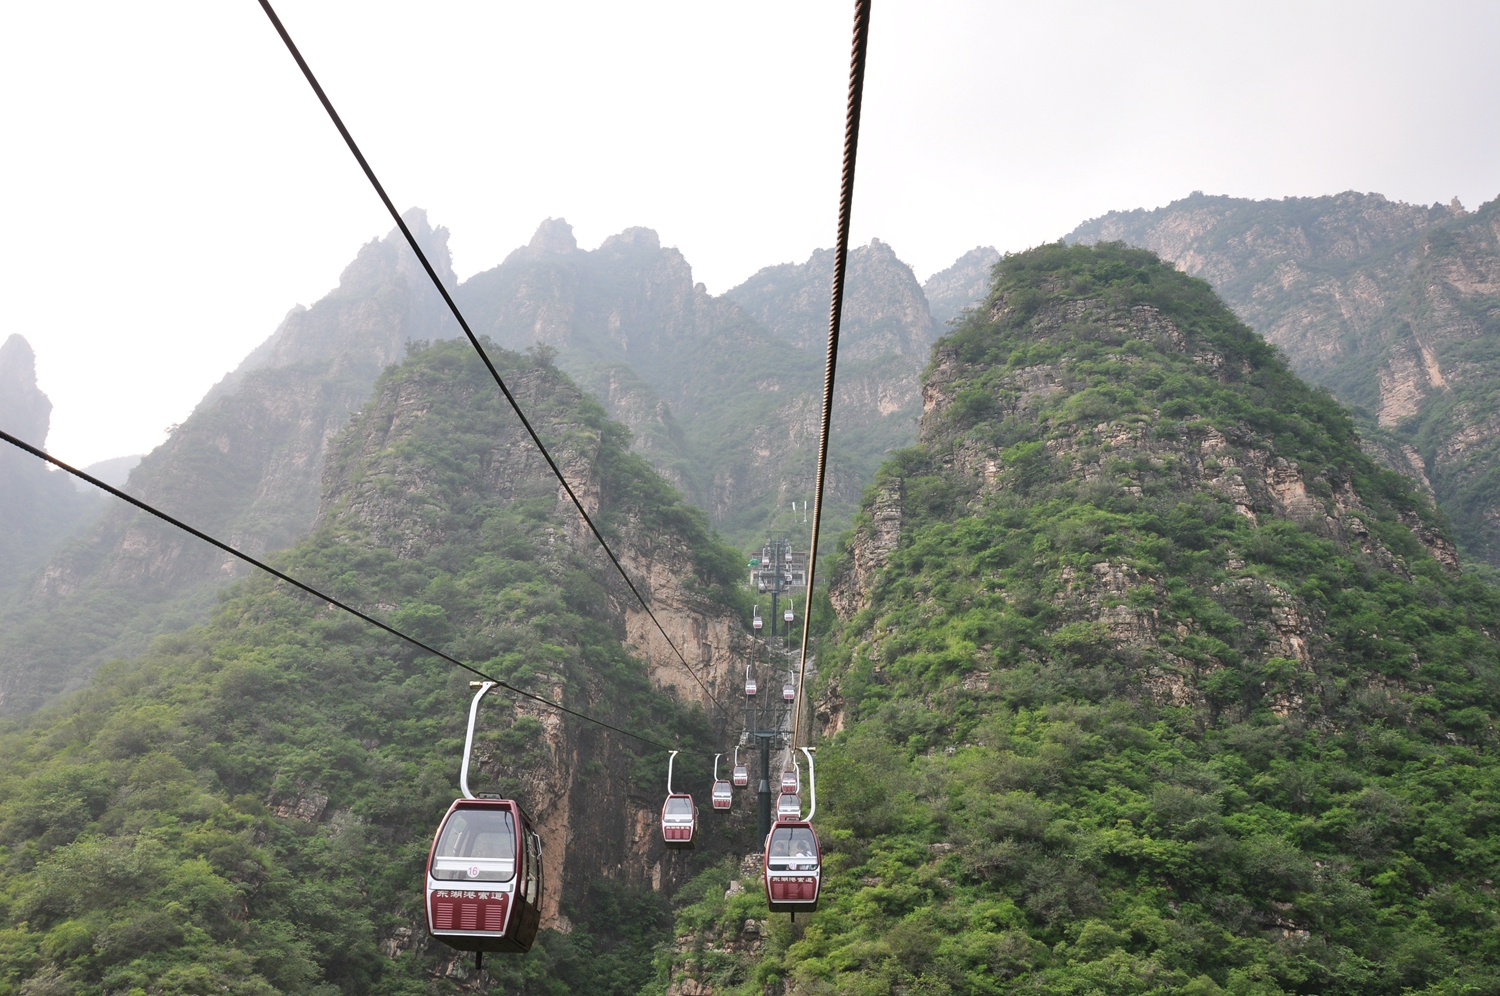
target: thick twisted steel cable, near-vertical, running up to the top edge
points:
(857, 58)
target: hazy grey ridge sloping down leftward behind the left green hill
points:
(245, 466)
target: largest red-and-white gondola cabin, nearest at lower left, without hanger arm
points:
(485, 878)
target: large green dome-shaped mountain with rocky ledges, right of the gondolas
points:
(1147, 682)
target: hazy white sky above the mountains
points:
(175, 188)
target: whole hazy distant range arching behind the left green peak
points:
(719, 400)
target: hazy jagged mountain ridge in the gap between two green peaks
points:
(722, 392)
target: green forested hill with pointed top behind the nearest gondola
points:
(247, 808)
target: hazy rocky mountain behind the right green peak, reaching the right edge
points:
(1390, 305)
